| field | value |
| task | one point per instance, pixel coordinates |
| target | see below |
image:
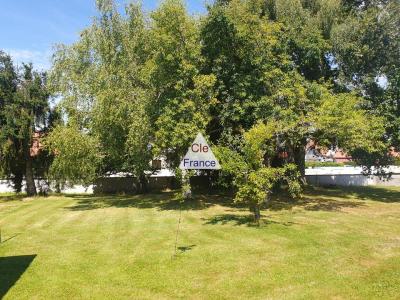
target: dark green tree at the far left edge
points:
(24, 112)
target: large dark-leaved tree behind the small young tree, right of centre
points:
(273, 63)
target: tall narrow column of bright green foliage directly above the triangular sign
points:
(183, 94)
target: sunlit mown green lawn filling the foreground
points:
(332, 243)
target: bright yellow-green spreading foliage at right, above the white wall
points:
(341, 120)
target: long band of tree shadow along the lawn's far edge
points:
(314, 199)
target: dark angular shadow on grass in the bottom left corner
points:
(11, 269)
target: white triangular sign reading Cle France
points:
(199, 156)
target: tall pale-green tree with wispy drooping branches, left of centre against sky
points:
(104, 85)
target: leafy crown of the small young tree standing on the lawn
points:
(254, 180)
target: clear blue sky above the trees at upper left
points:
(29, 29)
